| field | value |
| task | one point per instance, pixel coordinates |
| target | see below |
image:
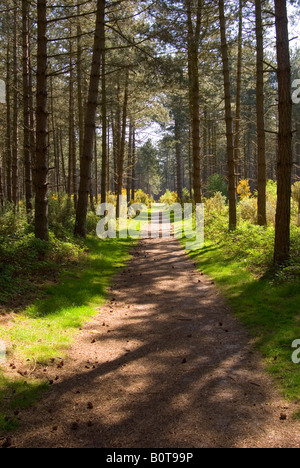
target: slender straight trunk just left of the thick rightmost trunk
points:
(260, 105)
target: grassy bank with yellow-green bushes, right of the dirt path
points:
(268, 304)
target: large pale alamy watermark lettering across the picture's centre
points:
(137, 221)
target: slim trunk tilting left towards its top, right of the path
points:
(229, 121)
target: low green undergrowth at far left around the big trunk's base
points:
(25, 262)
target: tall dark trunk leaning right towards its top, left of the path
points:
(86, 157)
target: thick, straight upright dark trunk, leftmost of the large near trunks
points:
(41, 173)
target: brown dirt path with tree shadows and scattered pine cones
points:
(163, 365)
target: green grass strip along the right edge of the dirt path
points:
(269, 309)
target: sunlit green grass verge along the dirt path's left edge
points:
(46, 329)
